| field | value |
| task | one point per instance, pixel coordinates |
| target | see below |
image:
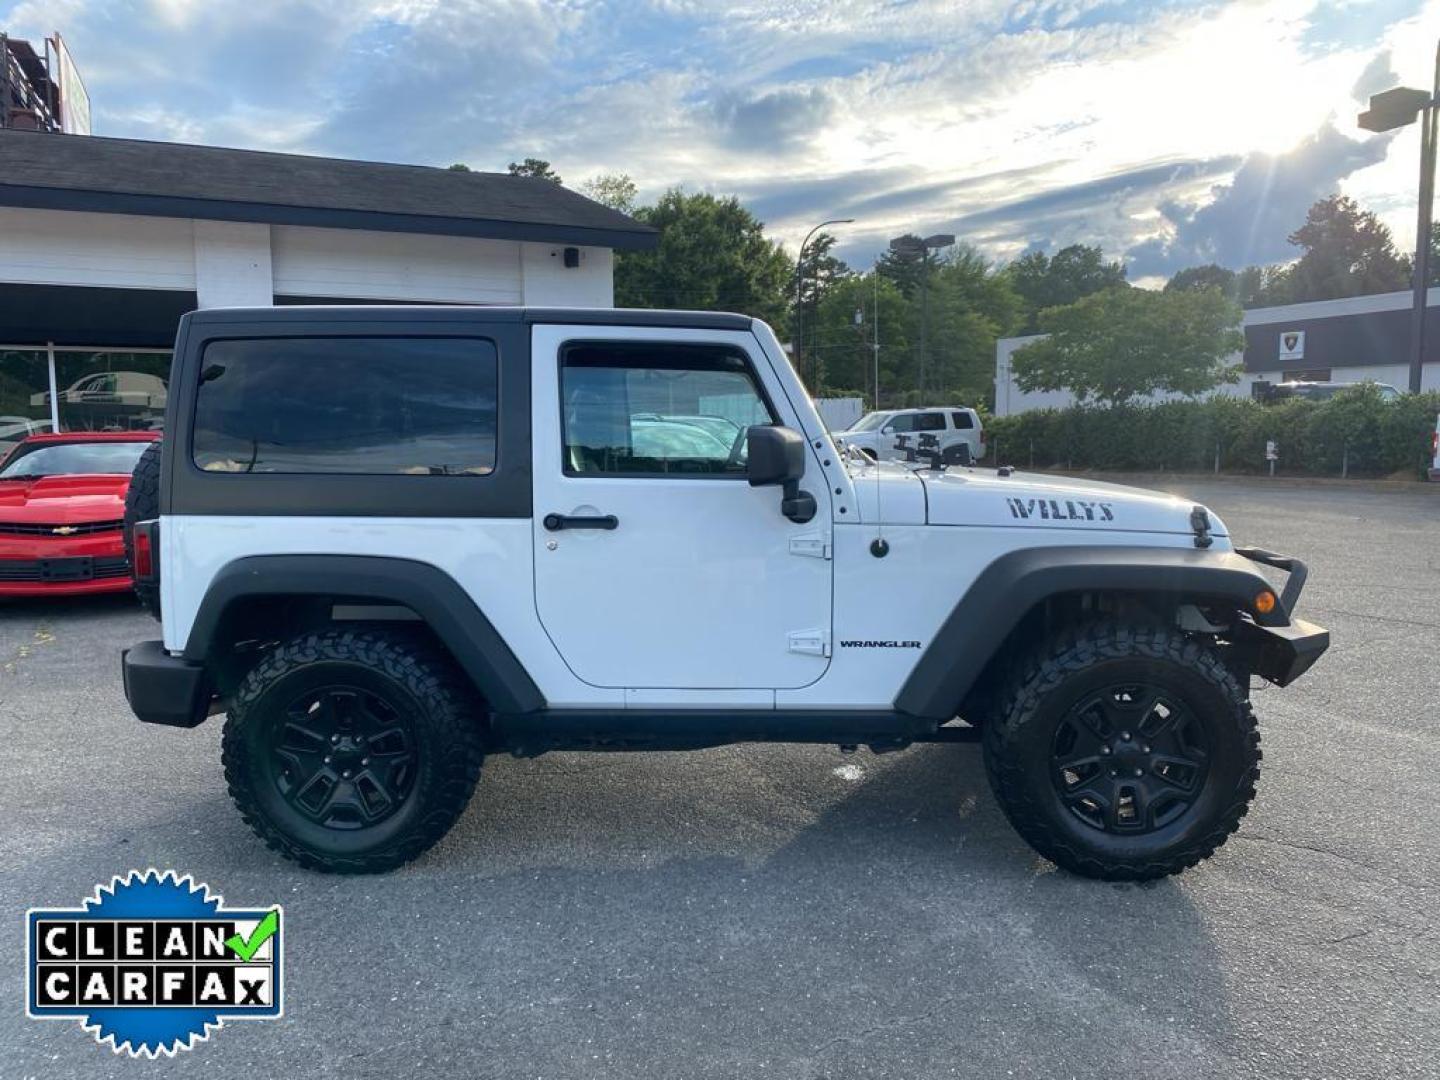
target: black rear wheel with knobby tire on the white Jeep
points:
(354, 751)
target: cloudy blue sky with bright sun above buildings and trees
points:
(1171, 133)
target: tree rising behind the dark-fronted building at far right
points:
(1349, 253)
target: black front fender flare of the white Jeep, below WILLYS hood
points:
(1016, 582)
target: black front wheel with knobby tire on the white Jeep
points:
(1125, 752)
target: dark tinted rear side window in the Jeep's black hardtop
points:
(371, 405)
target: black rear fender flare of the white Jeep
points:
(426, 590)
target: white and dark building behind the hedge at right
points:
(1351, 341)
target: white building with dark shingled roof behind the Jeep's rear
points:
(106, 243)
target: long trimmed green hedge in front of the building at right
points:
(1377, 437)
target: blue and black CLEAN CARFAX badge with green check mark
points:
(153, 963)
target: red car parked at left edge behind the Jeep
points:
(63, 499)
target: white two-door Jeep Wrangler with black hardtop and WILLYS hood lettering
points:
(390, 542)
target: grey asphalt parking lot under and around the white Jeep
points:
(778, 911)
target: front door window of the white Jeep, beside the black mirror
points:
(637, 408)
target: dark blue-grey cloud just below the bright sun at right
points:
(1248, 221)
